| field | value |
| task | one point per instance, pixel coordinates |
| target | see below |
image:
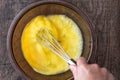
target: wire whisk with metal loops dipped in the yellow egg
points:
(45, 37)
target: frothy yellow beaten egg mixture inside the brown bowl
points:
(65, 31)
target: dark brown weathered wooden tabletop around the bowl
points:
(104, 14)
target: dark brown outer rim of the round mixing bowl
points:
(27, 8)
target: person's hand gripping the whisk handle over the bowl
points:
(84, 71)
